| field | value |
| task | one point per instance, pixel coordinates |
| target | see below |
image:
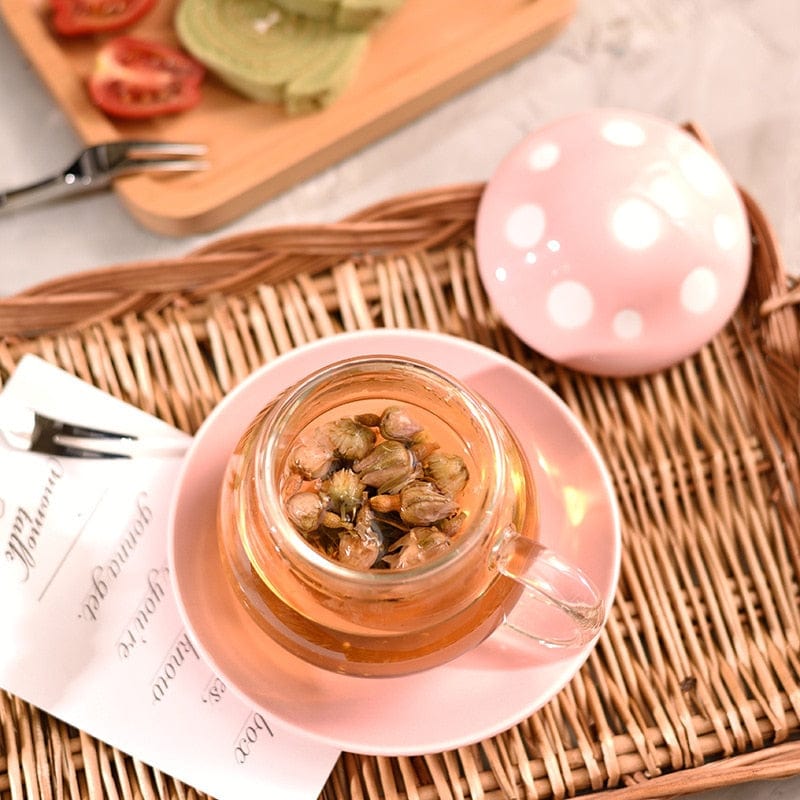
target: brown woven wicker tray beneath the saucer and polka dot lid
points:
(696, 681)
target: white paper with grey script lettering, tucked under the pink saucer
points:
(90, 631)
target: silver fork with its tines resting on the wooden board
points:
(97, 166)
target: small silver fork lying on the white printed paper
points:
(33, 431)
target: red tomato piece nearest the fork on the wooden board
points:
(137, 79)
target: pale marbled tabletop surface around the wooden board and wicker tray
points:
(732, 66)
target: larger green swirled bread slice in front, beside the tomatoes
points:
(269, 55)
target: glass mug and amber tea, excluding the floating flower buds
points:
(386, 622)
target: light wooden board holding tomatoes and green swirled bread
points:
(426, 52)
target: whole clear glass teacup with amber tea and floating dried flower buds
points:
(382, 573)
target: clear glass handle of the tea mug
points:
(549, 581)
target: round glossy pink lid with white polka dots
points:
(613, 242)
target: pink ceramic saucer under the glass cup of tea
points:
(479, 694)
